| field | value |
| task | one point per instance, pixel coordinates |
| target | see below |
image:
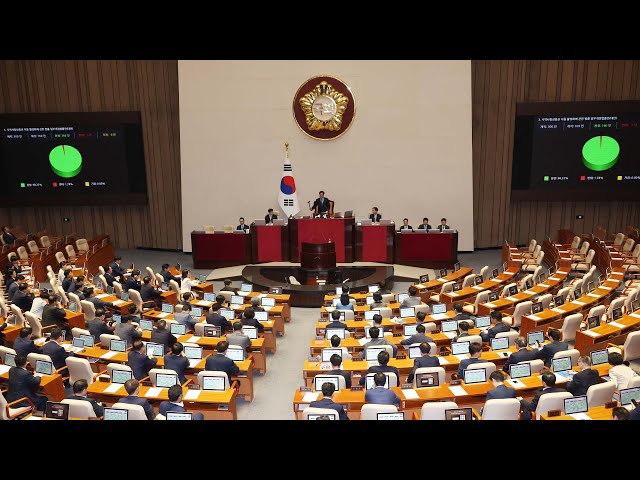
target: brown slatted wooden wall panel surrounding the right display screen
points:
(497, 86)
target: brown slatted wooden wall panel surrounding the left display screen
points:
(150, 87)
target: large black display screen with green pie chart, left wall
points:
(72, 158)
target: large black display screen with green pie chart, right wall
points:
(581, 151)
